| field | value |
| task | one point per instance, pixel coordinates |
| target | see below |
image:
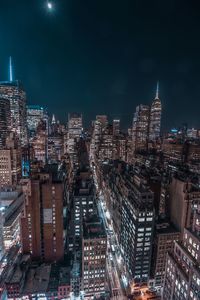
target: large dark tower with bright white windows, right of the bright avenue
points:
(137, 228)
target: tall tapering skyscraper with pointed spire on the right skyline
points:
(155, 117)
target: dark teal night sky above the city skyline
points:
(96, 56)
